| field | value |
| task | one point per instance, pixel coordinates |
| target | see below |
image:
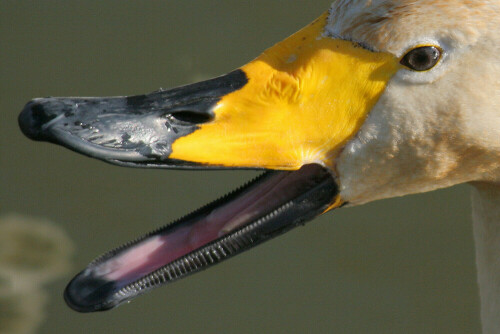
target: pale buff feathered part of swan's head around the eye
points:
(433, 128)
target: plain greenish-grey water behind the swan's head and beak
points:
(404, 265)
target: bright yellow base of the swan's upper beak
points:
(305, 97)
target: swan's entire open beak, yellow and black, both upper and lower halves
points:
(291, 110)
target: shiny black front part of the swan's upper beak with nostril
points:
(130, 131)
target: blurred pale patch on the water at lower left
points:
(33, 252)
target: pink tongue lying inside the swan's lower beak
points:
(159, 250)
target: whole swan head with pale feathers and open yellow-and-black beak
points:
(374, 99)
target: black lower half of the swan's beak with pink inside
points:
(268, 206)
